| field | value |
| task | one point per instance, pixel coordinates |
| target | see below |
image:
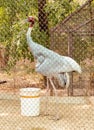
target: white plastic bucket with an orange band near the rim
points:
(30, 101)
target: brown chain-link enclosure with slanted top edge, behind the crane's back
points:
(75, 37)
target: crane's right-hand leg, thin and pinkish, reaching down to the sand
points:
(56, 111)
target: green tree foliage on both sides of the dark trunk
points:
(13, 32)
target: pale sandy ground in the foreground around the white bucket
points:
(75, 114)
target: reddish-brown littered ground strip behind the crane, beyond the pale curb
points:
(21, 79)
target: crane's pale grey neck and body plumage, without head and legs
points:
(50, 63)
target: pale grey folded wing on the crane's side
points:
(58, 64)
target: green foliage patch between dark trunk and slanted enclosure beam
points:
(58, 10)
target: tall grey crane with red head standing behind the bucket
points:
(50, 63)
